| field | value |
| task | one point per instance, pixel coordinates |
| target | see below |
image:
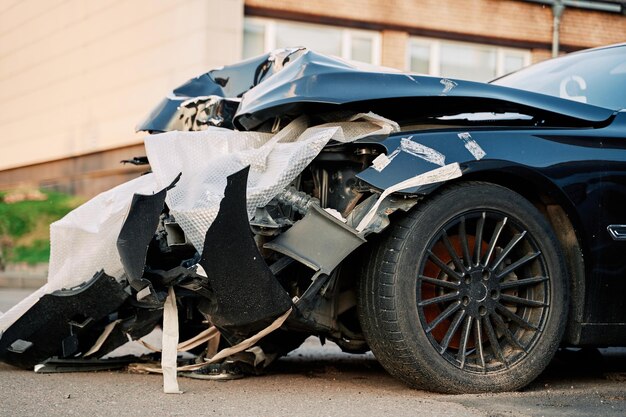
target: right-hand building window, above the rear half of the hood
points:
(463, 60)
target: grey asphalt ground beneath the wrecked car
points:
(315, 381)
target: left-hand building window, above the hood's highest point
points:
(263, 35)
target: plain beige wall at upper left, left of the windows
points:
(77, 76)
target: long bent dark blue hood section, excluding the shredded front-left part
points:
(323, 83)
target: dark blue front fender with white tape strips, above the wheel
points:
(583, 170)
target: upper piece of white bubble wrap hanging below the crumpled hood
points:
(207, 157)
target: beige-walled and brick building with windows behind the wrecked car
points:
(77, 76)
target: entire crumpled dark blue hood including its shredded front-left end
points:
(292, 82)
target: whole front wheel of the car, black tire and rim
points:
(446, 314)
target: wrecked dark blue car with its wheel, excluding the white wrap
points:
(464, 246)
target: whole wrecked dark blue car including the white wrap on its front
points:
(461, 231)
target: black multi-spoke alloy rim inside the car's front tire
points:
(483, 305)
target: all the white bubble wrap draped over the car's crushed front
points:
(84, 241)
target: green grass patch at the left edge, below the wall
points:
(24, 225)
